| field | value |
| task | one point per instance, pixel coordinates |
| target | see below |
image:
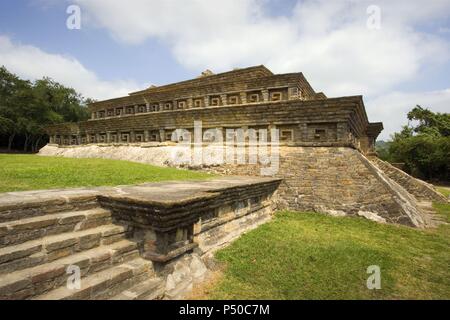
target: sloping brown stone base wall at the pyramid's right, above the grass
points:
(338, 181)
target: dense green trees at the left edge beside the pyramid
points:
(27, 107)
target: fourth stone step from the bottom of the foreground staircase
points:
(50, 248)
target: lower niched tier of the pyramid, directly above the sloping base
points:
(336, 121)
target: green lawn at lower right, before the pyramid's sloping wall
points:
(314, 256)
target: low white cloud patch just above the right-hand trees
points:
(392, 108)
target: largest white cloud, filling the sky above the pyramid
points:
(327, 40)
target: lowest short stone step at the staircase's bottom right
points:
(151, 289)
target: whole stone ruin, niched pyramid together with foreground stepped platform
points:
(155, 241)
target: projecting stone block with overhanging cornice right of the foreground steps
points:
(192, 215)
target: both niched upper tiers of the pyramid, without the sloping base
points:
(251, 98)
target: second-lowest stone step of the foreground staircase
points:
(105, 284)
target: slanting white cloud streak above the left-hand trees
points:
(32, 63)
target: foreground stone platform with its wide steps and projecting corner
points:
(149, 241)
